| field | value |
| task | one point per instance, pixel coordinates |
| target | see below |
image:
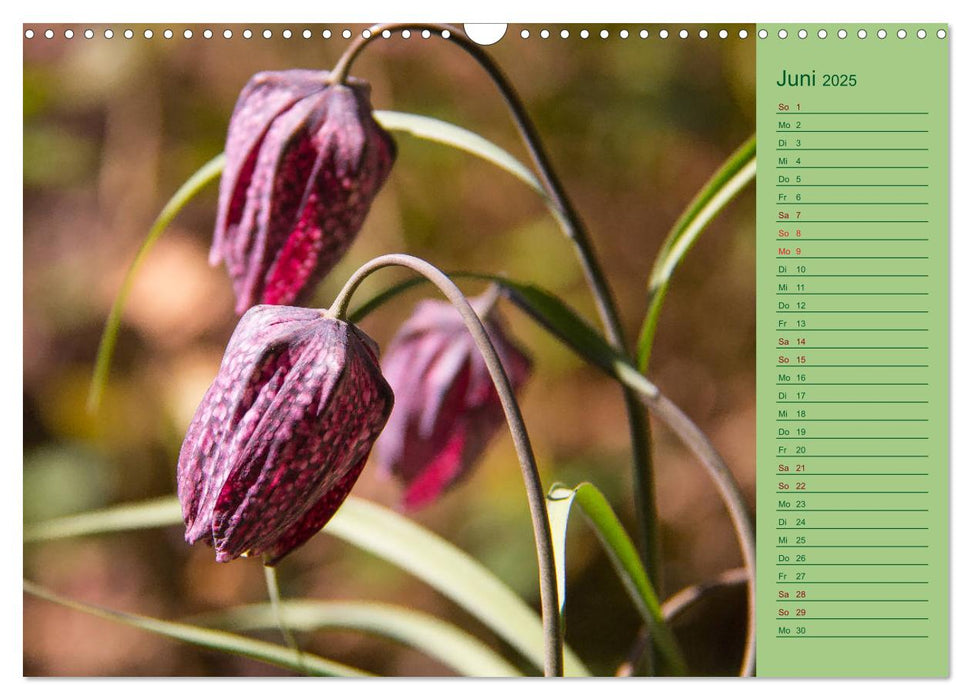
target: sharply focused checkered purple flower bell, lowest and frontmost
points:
(282, 434)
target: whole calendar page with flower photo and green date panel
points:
(486, 350)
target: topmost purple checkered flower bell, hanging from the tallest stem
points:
(304, 161)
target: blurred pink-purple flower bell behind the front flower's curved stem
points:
(447, 408)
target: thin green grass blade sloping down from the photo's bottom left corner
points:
(208, 638)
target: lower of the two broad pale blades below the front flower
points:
(438, 639)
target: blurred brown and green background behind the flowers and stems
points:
(634, 127)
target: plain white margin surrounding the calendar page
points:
(890, 11)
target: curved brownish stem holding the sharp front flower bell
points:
(534, 488)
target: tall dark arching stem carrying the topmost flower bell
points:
(574, 228)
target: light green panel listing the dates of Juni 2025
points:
(852, 350)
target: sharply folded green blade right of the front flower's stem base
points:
(623, 555)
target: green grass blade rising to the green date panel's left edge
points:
(727, 182)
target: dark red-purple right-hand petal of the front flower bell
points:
(309, 437)
